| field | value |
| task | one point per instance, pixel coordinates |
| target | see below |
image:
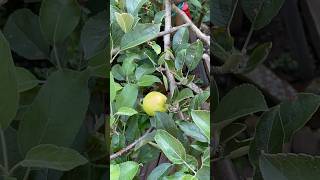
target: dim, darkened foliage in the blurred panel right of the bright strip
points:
(266, 148)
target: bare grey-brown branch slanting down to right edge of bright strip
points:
(194, 28)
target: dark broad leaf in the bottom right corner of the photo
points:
(289, 167)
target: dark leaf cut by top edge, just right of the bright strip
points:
(221, 12)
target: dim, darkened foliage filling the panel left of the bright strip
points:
(53, 69)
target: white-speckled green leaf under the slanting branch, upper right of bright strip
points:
(194, 55)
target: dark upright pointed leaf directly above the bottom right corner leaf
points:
(268, 137)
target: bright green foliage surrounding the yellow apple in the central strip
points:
(137, 68)
